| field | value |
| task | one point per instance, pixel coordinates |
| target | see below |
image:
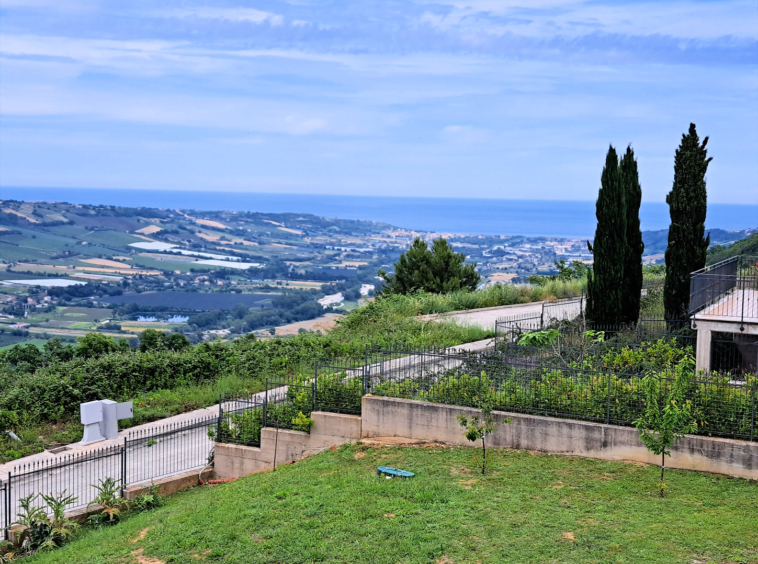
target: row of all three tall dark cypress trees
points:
(614, 283)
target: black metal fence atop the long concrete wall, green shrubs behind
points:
(530, 383)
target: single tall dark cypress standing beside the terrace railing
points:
(687, 244)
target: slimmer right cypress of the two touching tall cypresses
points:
(632, 289)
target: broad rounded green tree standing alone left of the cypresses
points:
(436, 270)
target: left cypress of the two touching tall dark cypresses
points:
(605, 284)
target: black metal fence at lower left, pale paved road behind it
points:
(143, 456)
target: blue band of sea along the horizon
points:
(554, 218)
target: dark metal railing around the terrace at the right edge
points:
(726, 291)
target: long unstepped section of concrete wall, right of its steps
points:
(390, 417)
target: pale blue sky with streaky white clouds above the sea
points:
(477, 99)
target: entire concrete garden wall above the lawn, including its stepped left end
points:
(433, 422)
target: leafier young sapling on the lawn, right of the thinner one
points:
(667, 418)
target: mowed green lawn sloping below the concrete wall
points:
(528, 508)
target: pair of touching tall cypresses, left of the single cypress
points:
(615, 282)
